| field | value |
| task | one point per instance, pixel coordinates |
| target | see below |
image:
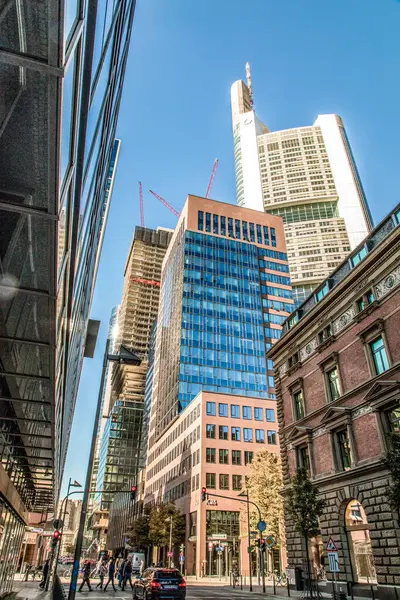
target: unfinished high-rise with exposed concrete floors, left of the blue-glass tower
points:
(119, 459)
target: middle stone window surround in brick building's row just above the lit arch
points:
(334, 420)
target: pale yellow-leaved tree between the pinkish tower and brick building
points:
(265, 484)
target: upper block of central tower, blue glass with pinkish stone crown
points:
(225, 291)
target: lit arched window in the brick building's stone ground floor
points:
(359, 543)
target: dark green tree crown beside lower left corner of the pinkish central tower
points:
(159, 527)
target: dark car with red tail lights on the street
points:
(160, 584)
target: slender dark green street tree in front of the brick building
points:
(305, 508)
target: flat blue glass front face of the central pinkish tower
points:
(222, 343)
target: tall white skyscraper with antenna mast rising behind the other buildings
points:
(308, 176)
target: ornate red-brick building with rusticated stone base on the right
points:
(338, 387)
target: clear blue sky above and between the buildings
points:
(308, 57)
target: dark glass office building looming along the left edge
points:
(62, 65)
